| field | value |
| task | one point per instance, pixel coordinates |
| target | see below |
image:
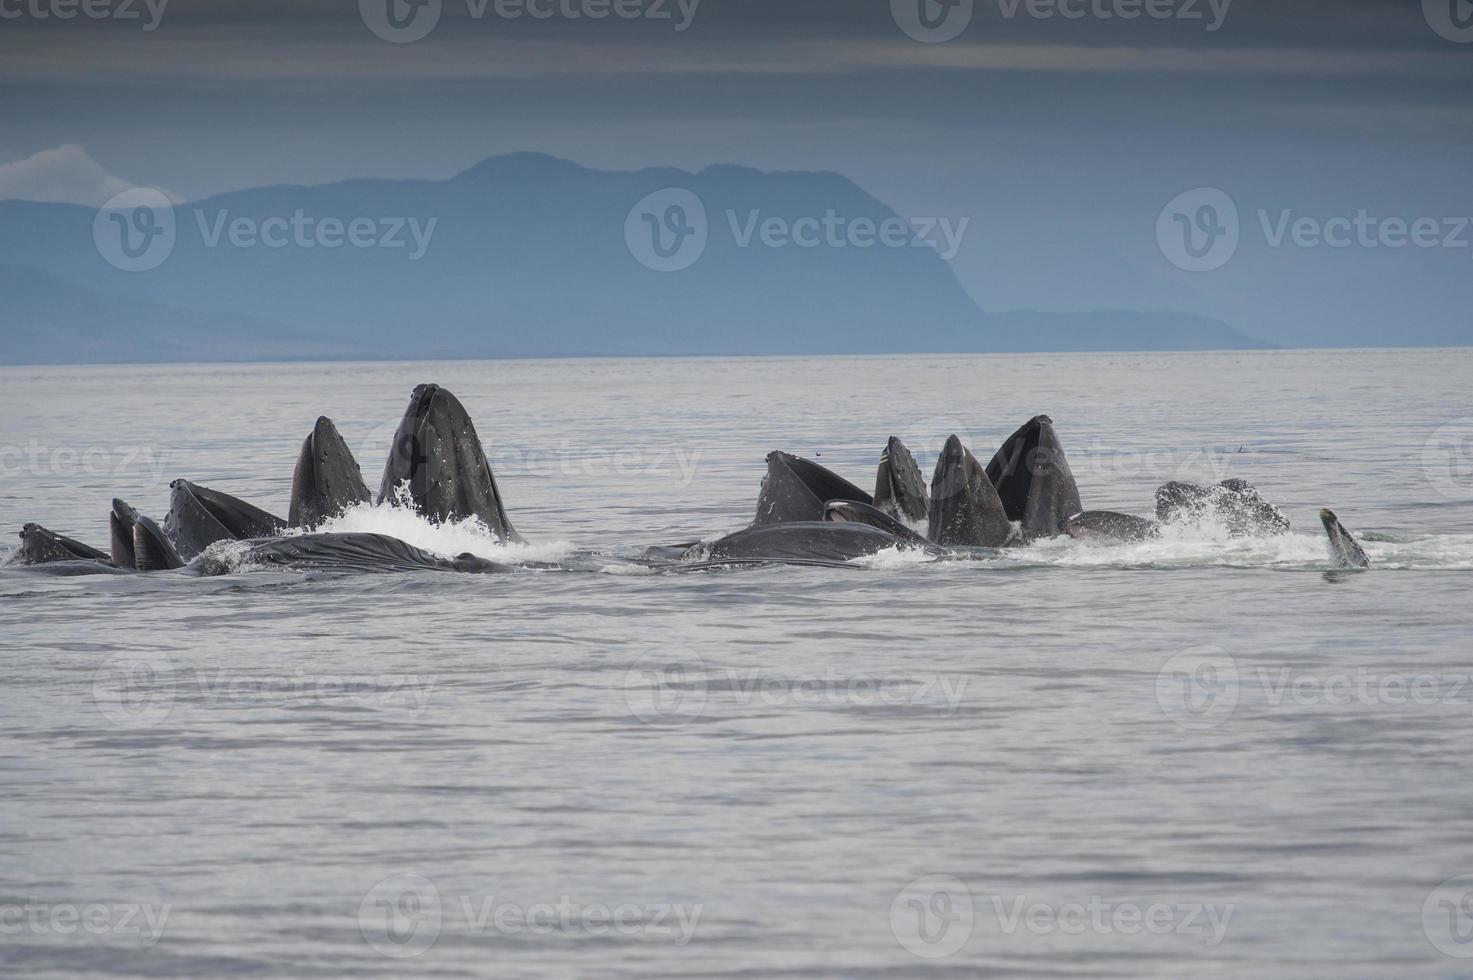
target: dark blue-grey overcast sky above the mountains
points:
(1061, 138)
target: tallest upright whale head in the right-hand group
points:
(1035, 481)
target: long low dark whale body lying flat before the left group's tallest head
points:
(344, 553)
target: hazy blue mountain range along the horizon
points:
(522, 256)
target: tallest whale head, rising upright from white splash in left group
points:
(438, 455)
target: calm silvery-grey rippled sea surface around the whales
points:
(1197, 755)
